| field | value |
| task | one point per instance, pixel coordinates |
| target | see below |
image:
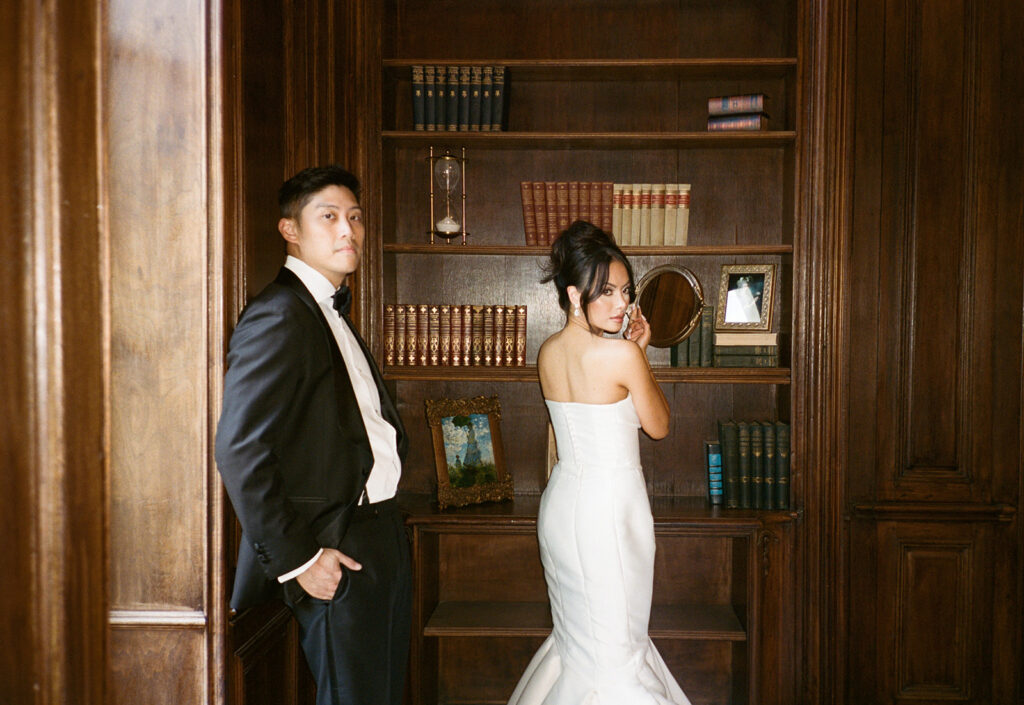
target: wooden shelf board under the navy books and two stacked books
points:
(602, 141)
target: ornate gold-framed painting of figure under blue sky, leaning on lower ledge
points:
(468, 453)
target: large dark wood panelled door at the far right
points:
(932, 478)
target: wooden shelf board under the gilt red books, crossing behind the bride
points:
(707, 376)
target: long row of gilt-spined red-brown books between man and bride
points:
(455, 336)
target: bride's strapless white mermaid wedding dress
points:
(598, 548)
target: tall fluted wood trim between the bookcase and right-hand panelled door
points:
(822, 342)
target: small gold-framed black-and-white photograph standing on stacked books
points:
(745, 298)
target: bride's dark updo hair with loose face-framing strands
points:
(581, 258)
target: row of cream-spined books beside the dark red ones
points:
(651, 214)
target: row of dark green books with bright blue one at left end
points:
(749, 466)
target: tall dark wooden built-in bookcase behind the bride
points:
(628, 104)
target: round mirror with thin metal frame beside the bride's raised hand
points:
(671, 299)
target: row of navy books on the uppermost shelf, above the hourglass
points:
(459, 99)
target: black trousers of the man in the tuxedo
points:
(358, 643)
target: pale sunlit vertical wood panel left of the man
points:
(157, 186)
